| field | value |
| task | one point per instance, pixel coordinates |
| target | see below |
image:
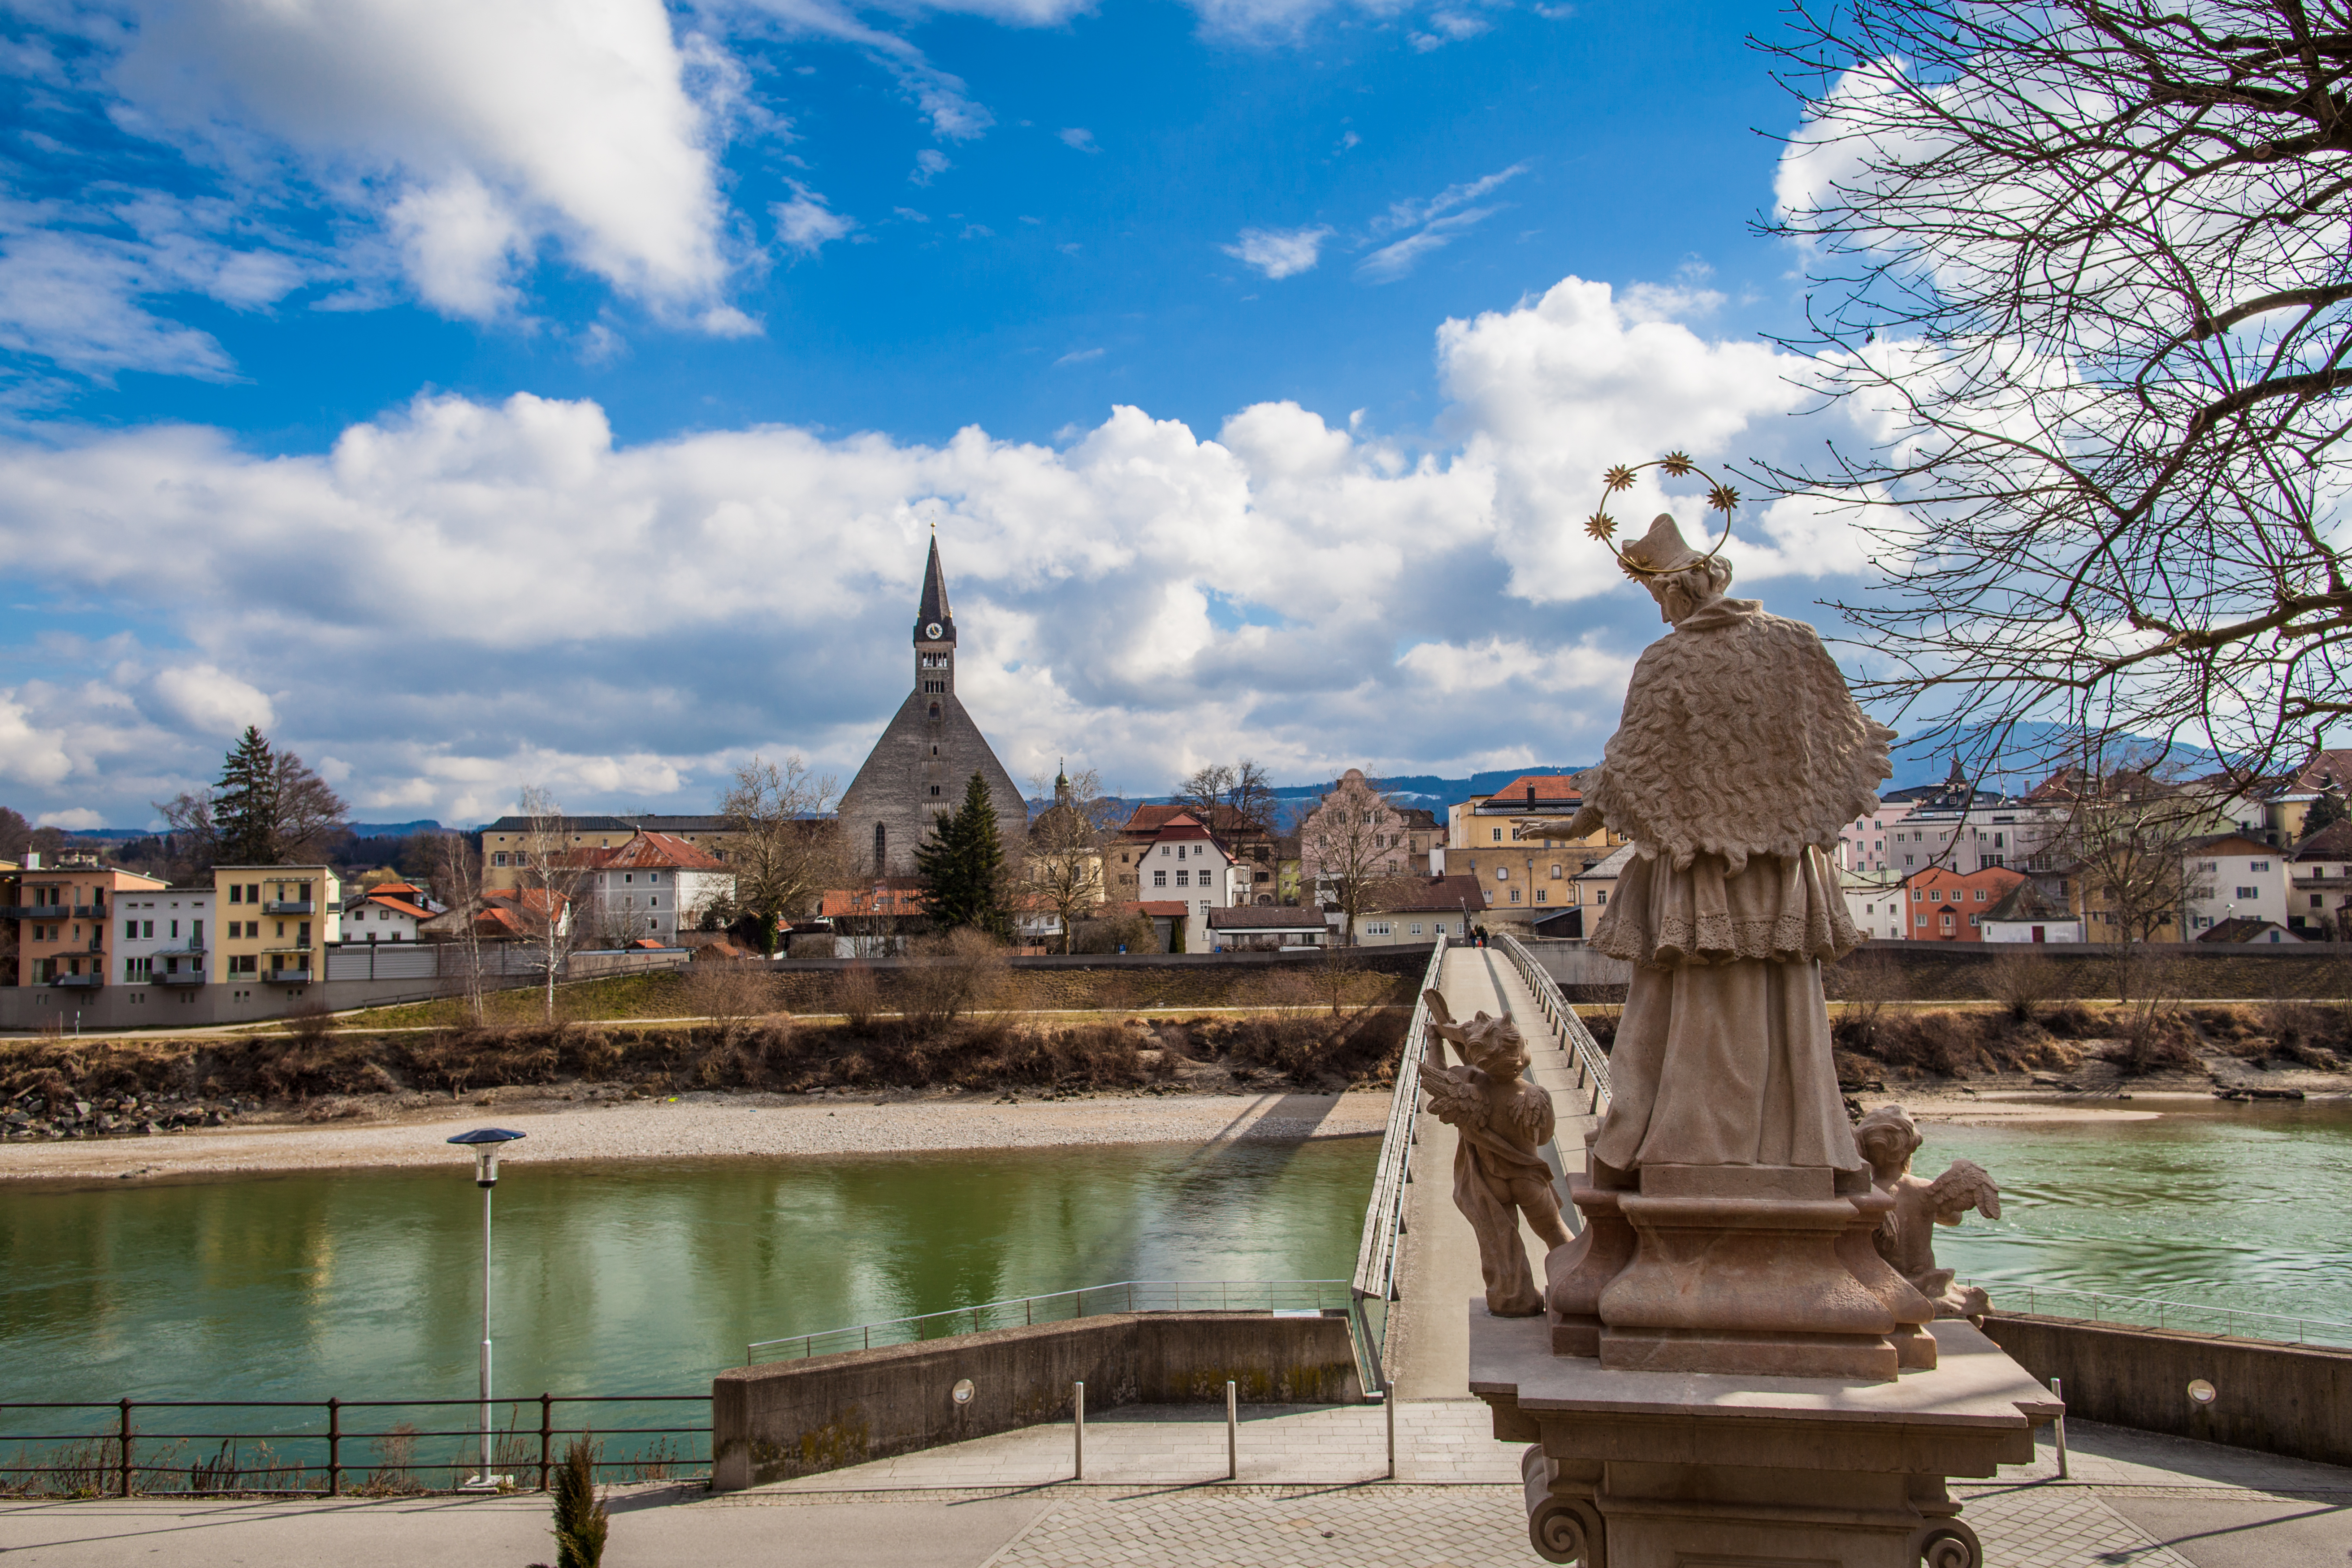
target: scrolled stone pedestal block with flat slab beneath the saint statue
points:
(1683, 1470)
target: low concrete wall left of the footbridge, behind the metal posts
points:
(794, 1419)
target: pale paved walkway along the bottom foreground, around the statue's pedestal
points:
(1156, 1496)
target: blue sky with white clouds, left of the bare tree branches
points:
(528, 391)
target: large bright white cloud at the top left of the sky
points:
(488, 123)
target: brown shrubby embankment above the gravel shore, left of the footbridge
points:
(326, 1073)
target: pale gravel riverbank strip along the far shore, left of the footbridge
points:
(704, 1127)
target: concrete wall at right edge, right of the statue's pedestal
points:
(2276, 1398)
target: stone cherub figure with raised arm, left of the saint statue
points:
(1499, 1174)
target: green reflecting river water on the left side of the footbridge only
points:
(639, 1278)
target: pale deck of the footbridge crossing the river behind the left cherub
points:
(1429, 1336)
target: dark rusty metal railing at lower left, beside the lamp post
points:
(333, 1447)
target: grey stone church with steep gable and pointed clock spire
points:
(923, 760)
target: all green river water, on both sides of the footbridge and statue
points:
(648, 1278)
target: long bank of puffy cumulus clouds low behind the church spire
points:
(624, 622)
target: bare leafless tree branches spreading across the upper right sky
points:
(2083, 264)
